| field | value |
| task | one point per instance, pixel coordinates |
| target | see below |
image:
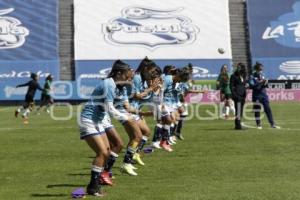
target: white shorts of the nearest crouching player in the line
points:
(88, 127)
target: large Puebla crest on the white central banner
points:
(150, 28)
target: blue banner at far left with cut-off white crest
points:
(28, 41)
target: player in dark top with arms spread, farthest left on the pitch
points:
(33, 85)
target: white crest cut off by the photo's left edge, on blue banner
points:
(12, 35)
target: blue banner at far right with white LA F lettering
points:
(274, 27)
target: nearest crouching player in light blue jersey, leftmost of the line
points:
(91, 128)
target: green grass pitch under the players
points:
(46, 160)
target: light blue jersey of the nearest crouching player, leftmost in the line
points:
(103, 93)
